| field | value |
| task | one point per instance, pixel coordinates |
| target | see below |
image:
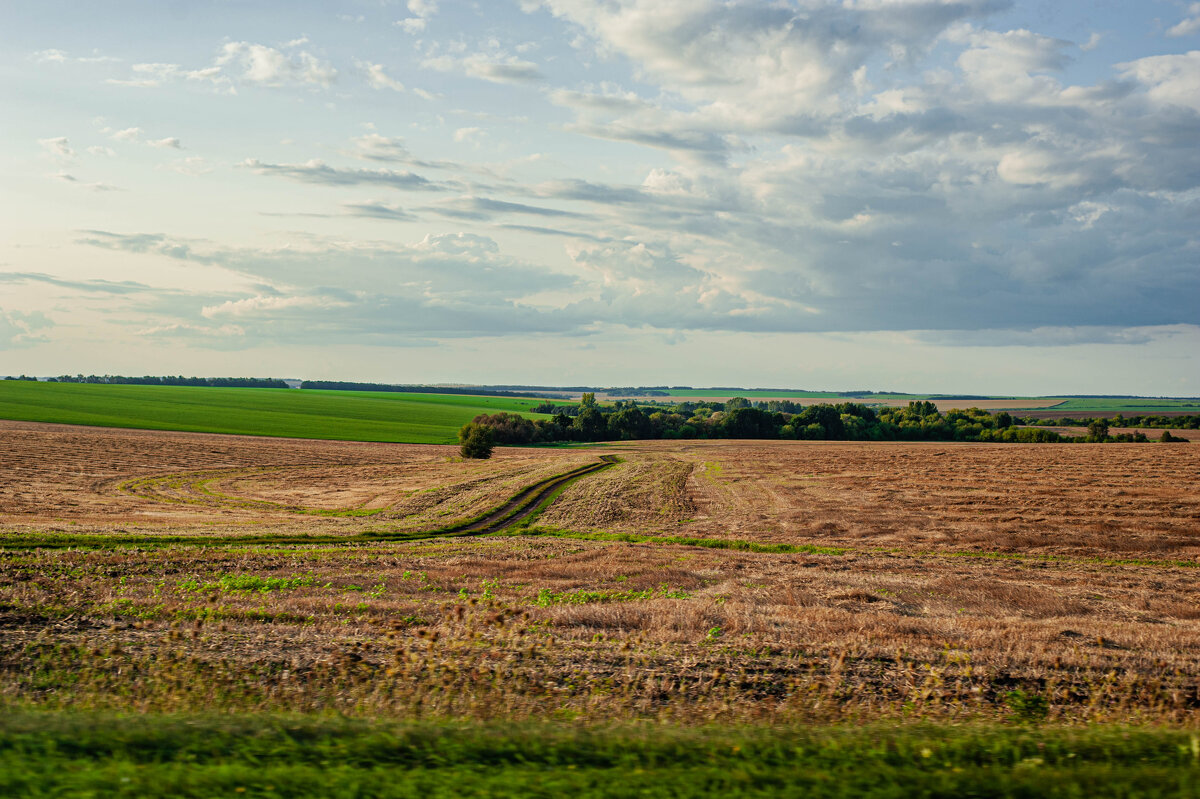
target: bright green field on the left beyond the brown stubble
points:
(345, 416)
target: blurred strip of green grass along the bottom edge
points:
(64, 755)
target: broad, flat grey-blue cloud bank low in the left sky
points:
(439, 287)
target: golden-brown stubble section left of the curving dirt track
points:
(94, 478)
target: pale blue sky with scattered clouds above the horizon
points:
(946, 196)
